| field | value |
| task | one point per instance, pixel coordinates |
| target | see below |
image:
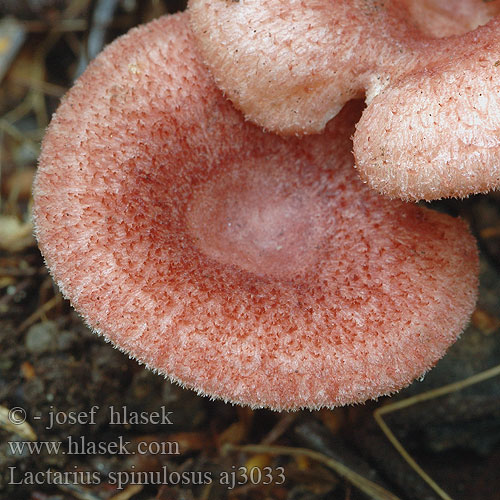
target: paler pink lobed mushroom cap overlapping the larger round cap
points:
(431, 127)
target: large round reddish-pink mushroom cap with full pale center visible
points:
(247, 266)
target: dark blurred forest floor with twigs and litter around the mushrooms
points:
(65, 386)
